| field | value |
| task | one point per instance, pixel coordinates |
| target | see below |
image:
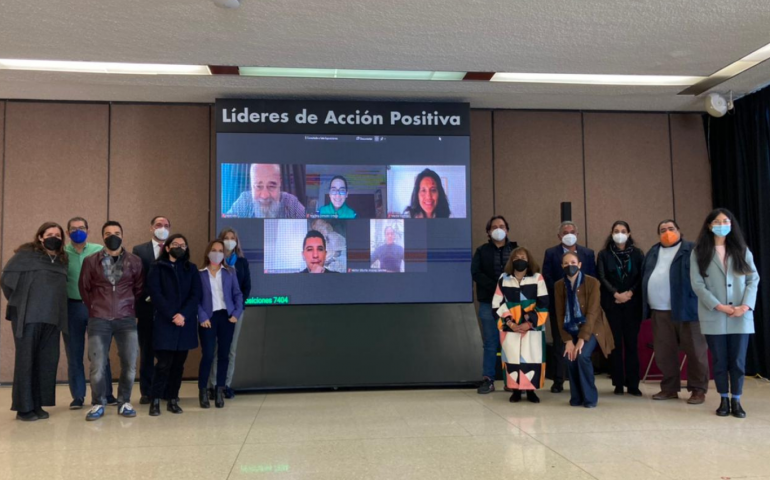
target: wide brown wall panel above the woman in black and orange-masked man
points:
(628, 175)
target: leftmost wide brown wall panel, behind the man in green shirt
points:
(55, 168)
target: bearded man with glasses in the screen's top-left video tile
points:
(266, 200)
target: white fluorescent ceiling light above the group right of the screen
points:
(589, 79)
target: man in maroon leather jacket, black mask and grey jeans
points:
(110, 282)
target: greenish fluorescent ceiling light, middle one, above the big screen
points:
(350, 74)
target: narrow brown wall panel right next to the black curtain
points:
(692, 173)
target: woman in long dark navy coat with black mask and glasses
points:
(175, 290)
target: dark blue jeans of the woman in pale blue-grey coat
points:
(729, 355)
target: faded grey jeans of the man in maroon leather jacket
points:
(100, 335)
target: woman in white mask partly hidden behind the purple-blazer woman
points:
(234, 258)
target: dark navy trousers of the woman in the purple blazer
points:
(219, 337)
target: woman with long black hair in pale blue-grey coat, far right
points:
(725, 282)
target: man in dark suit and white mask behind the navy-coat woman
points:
(148, 252)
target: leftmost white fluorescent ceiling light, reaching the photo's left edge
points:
(103, 67)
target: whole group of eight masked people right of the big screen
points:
(700, 297)
